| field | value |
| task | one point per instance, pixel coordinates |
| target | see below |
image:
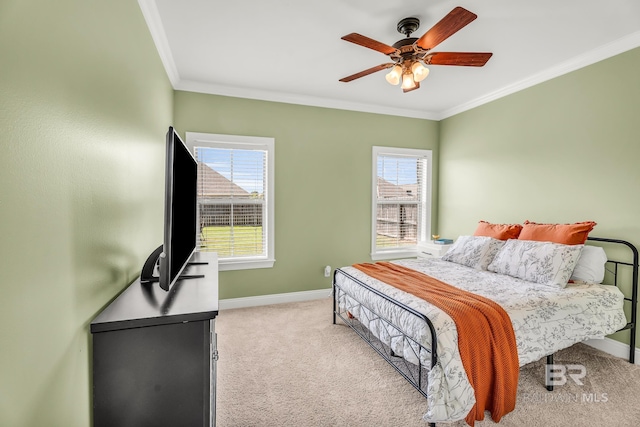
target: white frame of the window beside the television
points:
(195, 139)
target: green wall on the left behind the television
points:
(84, 106)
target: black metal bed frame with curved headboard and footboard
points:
(416, 374)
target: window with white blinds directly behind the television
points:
(235, 198)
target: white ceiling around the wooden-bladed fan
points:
(291, 51)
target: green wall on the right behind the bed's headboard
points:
(565, 150)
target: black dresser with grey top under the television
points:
(155, 353)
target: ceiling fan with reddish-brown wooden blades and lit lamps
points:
(411, 54)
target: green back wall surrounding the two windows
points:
(322, 181)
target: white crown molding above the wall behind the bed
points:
(601, 53)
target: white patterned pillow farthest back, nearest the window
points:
(473, 251)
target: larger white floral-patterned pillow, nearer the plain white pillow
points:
(540, 262)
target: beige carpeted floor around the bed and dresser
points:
(288, 365)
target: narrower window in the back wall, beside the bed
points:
(401, 201)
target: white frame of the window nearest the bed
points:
(424, 227)
